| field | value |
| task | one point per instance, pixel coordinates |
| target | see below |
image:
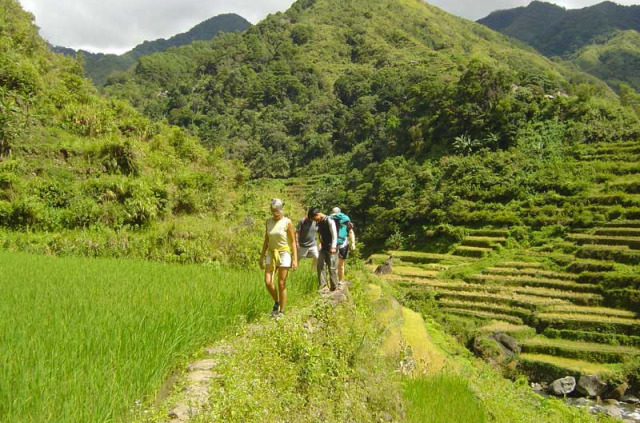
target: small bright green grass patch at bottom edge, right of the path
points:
(441, 399)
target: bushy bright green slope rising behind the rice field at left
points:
(86, 175)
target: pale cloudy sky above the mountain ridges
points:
(116, 26)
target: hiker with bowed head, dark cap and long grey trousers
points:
(328, 248)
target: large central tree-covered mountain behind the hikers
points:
(379, 91)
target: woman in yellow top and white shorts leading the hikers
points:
(279, 246)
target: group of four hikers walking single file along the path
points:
(283, 246)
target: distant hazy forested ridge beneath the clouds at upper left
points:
(99, 66)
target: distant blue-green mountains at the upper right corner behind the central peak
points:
(601, 40)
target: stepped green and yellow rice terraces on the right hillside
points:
(572, 301)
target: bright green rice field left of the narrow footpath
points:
(81, 340)
